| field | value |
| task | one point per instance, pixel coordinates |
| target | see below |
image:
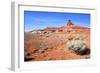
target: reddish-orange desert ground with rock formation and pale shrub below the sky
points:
(57, 43)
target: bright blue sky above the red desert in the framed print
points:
(40, 20)
